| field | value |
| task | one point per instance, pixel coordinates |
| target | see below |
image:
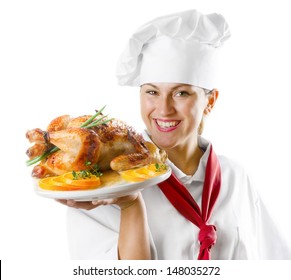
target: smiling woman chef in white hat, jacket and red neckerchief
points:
(207, 208)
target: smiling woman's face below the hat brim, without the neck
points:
(172, 113)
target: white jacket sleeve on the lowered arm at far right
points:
(259, 235)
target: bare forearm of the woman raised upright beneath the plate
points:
(133, 240)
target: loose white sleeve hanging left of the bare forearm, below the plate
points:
(93, 234)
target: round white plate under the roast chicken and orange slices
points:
(118, 189)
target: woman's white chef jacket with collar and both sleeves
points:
(245, 229)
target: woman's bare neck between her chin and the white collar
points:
(186, 158)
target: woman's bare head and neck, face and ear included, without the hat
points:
(173, 114)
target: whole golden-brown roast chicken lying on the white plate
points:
(113, 145)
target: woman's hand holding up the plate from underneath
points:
(122, 202)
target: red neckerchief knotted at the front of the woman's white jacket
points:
(182, 200)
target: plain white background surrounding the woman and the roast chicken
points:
(59, 57)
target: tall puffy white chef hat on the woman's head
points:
(178, 48)
